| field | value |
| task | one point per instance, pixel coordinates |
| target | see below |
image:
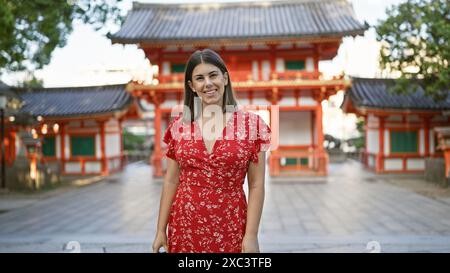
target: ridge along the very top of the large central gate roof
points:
(141, 5)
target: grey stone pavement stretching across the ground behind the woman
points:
(340, 213)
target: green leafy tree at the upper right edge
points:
(415, 42)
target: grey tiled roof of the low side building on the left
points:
(75, 101)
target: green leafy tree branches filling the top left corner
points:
(31, 30)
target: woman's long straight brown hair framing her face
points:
(210, 57)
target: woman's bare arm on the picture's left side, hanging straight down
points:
(170, 185)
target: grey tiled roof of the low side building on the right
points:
(374, 93)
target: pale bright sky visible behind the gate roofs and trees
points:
(89, 58)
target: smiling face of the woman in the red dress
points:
(209, 83)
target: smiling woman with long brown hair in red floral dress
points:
(202, 201)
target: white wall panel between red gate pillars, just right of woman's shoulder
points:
(296, 128)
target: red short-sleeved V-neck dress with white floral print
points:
(209, 210)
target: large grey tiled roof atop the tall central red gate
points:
(246, 20)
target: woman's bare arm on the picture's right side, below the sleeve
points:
(256, 174)
